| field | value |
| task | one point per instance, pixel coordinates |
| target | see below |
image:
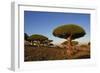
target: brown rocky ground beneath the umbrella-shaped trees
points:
(32, 53)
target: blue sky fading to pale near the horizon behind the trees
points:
(36, 22)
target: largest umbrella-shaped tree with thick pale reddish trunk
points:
(69, 32)
